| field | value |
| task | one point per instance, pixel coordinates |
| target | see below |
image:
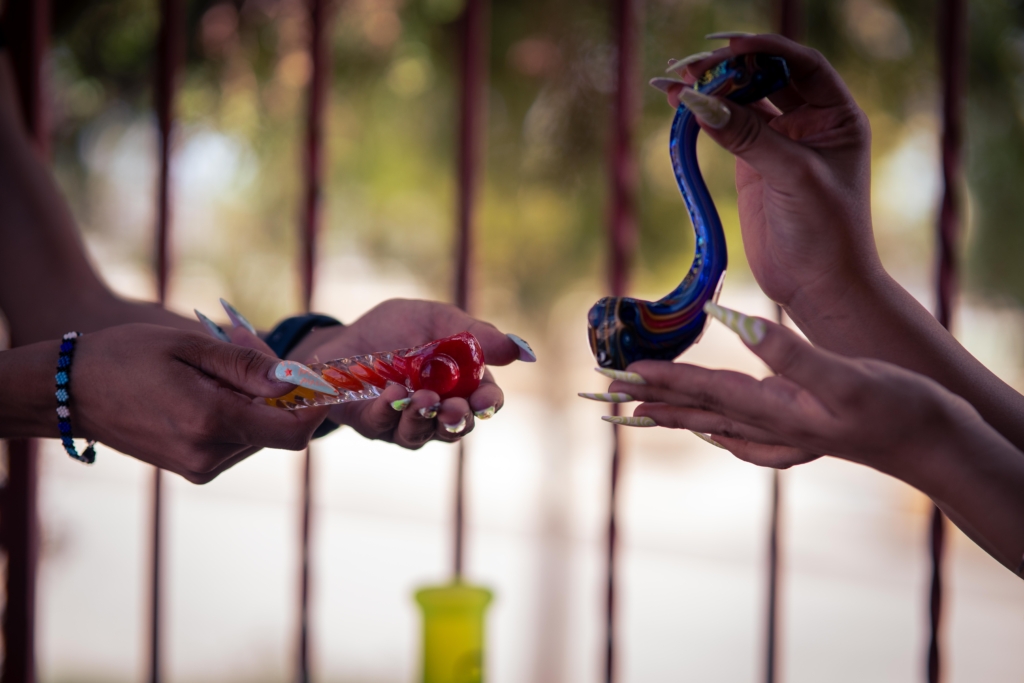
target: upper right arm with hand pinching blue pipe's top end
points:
(803, 176)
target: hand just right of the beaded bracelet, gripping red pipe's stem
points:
(181, 401)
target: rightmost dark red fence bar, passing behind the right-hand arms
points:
(953, 61)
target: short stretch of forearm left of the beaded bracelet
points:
(27, 392)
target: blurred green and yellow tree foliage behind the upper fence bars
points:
(393, 116)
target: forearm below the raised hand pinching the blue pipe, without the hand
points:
(878, 319)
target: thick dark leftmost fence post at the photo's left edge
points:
(27, 27)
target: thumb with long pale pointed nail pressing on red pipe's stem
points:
(250, 371)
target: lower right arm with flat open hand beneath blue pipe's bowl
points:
(867, 412)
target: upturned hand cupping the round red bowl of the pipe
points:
(402, 324)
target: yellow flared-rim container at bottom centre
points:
(454, 618)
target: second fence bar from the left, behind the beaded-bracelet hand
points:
(170, 53)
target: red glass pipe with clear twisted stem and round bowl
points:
(452, 367)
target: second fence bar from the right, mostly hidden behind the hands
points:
(789, 21)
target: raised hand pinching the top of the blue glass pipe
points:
(803, 177)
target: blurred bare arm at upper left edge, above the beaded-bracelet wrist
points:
(48, 285)
